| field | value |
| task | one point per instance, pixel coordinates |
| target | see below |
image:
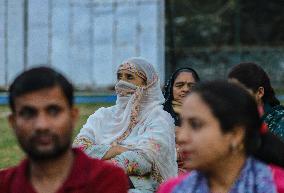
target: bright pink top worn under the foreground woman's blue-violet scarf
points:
(277, 172)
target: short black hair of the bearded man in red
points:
(36, 79)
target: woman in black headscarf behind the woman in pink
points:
(178, 86)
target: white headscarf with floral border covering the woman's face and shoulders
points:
(138, 121)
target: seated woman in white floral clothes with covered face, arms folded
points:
(136, 133)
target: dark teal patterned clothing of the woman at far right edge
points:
(274, 118)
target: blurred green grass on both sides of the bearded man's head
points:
(10, 153)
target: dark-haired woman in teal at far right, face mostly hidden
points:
(254, 78)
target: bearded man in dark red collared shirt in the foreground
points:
(43, 118)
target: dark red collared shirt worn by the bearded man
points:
(87, 176)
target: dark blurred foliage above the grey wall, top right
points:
(227, 22)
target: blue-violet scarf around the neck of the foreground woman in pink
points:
(255, 177)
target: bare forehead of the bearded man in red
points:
(40, 98)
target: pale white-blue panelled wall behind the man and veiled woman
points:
(84, 39)
